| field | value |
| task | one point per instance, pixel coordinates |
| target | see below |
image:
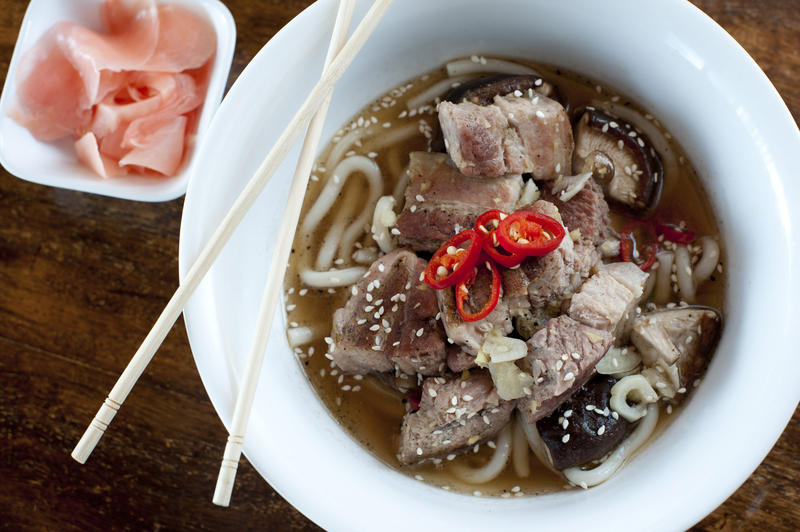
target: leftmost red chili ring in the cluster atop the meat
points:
(457, 263)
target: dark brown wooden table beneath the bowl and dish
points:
(83, 278)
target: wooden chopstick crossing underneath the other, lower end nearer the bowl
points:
(272, 288)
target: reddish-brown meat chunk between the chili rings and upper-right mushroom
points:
(587, 211)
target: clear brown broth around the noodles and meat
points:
(370, 411)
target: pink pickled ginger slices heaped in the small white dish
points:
(128, 96)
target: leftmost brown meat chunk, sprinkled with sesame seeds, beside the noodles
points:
(390, 321)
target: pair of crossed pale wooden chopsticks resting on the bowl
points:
(339, 58)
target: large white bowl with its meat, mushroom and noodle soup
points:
(527, 282)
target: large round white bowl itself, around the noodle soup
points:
(665, 54)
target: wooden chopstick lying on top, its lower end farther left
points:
(222, 234)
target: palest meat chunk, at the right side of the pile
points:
(607, 299)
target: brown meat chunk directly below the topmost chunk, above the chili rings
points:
(440, 200)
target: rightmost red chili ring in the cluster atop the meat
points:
(530, 234)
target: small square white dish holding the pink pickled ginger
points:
(55, 163)
